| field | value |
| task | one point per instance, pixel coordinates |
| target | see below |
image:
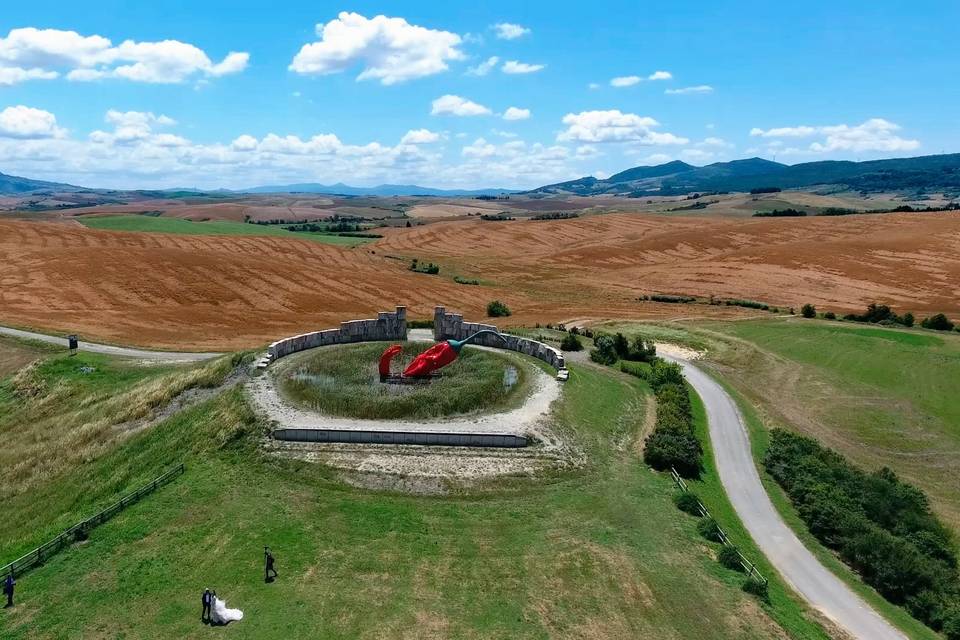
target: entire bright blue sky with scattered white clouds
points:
(232, 94)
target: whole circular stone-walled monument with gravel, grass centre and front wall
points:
(485, 414)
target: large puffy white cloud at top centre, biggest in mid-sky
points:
(391, 50)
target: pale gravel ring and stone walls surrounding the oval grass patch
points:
(421, 455)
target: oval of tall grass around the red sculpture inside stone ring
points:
(343, 381)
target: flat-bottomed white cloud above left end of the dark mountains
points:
(614, 126)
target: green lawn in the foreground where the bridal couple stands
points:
(600, 552)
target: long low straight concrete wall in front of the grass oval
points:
(428, 438)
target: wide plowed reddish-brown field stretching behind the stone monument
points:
(229, 292)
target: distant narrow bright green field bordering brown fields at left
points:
(151, 224)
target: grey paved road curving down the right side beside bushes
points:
(818, 586)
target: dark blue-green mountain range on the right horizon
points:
(674, 178)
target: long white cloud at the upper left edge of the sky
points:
(30, 53)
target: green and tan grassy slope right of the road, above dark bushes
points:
(880, 396)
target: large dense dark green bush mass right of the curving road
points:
(882, 527)
